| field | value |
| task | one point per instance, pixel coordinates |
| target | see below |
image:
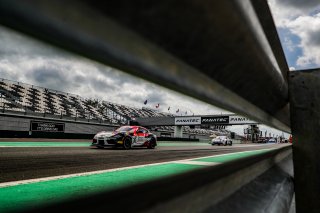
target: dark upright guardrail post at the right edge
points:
(304, 90)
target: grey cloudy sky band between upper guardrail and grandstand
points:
(29, 61)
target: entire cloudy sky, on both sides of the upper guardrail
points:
(26, 60)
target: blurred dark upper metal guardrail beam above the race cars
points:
(209, 50)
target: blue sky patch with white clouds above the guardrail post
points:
(298, 25)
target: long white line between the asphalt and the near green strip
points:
(14, 183)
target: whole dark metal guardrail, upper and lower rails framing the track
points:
(226, 53)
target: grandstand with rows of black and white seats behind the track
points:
(26, 99)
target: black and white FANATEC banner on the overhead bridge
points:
(213, 120)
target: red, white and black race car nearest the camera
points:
(126, 137)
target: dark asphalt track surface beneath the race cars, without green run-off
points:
(21, 163)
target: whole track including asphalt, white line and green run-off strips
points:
(35, 174)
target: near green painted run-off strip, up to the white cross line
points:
(34, 194)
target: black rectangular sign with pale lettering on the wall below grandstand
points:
(41, 126)
